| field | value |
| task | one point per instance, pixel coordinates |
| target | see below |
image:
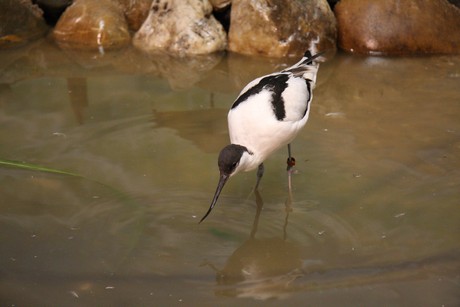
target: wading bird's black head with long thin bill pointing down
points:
(229, 159)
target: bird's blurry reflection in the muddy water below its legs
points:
(261, 268)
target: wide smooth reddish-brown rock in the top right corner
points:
(398, 27)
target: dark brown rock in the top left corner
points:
(20, 23)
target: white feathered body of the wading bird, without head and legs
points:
(252, 122)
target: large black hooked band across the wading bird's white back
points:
(276, 84)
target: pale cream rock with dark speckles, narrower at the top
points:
(182, 28)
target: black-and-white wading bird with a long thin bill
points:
(267, 114)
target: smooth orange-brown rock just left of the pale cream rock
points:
(88, 24)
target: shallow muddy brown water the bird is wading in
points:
(130, 143)
